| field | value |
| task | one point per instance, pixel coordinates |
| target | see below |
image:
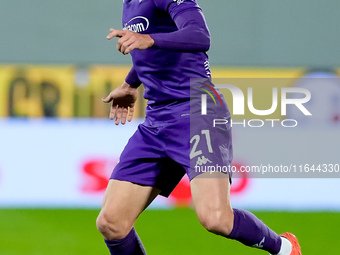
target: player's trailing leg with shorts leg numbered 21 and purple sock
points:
(211, 148)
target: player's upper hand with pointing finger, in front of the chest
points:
(129, 40)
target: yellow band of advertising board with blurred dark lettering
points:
(72, 91)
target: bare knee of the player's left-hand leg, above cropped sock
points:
(112, 227)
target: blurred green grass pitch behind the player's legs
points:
(165, 232)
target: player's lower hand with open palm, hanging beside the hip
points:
(123, 101)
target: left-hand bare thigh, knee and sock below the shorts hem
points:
(123, 203)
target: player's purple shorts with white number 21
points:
(173, 140)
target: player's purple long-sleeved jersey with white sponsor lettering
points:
(164, 69)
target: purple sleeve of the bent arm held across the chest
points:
(192, 35)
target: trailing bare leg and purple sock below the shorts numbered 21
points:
(211, 199)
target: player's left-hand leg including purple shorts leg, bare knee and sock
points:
(124, 199)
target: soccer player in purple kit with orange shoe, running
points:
(168, 40)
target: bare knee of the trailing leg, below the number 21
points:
(219, 222)
